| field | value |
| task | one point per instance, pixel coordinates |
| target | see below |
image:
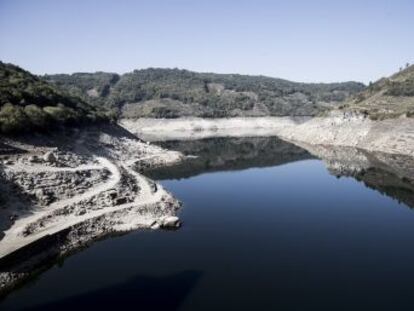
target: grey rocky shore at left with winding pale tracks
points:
(61, 192)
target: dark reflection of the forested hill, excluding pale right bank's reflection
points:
(224, 154)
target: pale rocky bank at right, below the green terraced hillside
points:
(392, 136)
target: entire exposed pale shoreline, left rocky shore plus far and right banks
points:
(95, 185)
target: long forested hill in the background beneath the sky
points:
(175, 93)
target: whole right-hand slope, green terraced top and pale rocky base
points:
(380, 118)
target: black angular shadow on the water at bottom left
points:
(138, 293)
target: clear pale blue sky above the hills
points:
(318, 41)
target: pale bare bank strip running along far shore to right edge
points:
(394, 136)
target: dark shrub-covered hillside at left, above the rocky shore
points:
(27, 102)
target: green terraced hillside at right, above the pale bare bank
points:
(387, 98)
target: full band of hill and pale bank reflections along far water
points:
(391, 175)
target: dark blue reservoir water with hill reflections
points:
(266, 227)
